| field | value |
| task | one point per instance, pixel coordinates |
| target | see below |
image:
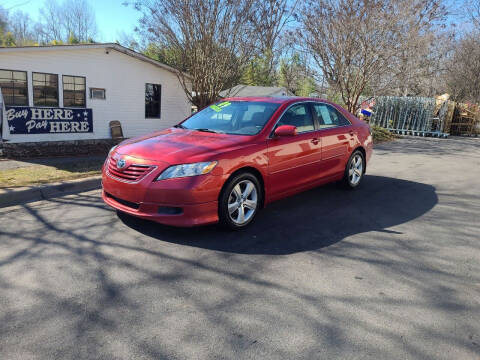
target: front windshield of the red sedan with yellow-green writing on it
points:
(232, 117)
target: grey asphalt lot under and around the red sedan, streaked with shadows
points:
(389, 271)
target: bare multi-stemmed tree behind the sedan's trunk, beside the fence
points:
(355, 42)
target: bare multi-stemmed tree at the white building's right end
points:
(212, 40)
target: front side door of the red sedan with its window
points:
(294, 160)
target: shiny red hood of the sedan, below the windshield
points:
(176, 146)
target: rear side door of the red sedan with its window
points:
(336, 134)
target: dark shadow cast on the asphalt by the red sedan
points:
(308, 221)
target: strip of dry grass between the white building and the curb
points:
(42, 174)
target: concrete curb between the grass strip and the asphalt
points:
(17, 196)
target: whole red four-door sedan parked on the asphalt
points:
(229, 160)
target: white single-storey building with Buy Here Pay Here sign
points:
(72, 92)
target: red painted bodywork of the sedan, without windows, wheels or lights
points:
(287, 164)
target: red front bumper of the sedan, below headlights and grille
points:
(196, 196)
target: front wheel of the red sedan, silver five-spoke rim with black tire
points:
(240, 201)
